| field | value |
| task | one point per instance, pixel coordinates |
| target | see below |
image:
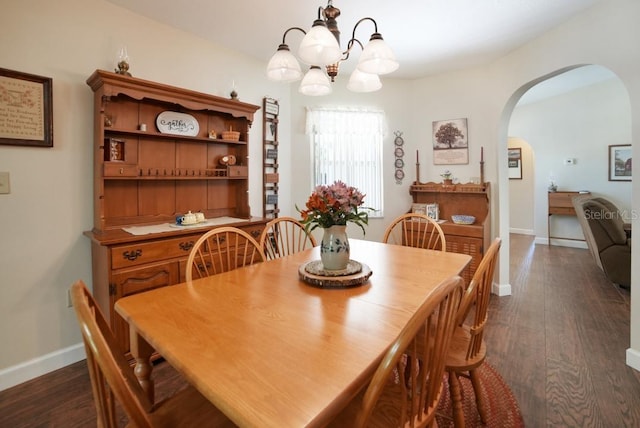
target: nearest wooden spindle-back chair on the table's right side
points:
(403, 393)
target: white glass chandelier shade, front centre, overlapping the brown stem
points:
(319, 46)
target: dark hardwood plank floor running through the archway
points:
(559, 341)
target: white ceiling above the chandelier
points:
(427, 36)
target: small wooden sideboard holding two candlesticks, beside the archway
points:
(468, 199)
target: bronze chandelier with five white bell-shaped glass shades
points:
(320, 47)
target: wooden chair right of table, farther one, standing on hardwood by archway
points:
(468, 350)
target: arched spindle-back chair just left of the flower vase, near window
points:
(283, 236)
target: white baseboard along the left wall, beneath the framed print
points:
(15, 375)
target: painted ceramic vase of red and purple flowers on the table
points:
(331, 208)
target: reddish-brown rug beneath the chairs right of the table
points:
(502, 407)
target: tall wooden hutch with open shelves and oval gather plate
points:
(146, 174)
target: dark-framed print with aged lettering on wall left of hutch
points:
(26, 109)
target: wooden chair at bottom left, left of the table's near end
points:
(113, 380)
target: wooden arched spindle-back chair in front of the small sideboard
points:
(416, 230)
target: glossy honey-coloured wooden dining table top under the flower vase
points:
(270, 350)
